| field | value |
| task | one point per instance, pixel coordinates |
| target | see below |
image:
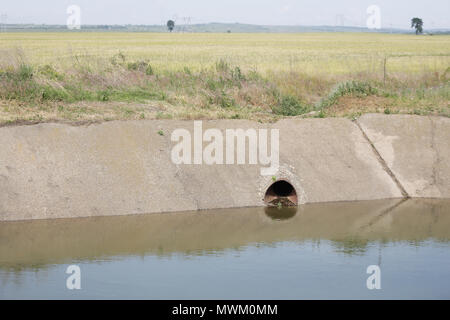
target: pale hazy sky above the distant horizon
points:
(395, 13)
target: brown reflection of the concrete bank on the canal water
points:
(351, 227)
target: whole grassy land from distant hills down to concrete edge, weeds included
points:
(105, 76)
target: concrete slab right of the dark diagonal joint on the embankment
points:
(416, 149)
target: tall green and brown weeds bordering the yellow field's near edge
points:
(221, 87)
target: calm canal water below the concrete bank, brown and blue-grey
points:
(314, 252)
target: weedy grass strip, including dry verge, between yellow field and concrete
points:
(92, 88)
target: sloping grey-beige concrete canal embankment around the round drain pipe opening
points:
(120, 168)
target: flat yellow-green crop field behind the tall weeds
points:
(309, 53)
